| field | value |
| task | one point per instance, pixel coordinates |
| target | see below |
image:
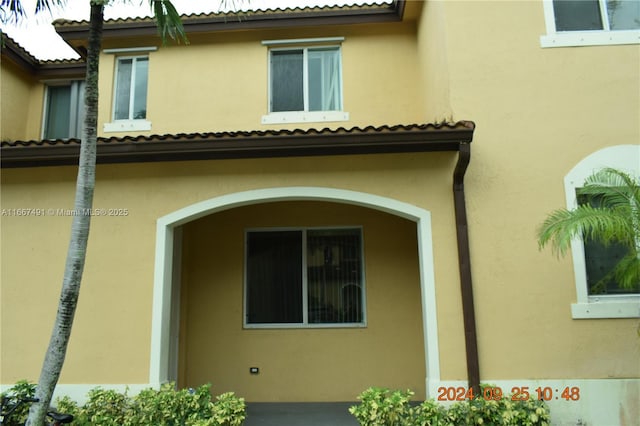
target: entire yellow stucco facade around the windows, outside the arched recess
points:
(538, 113)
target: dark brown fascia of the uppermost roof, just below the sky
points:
(126, 28)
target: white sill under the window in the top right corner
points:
(590, 38)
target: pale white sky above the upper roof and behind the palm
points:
(38, 37)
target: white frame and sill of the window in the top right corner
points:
(606, 36)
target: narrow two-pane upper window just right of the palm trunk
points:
(130, 94)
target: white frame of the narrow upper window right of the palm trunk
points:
(127, 124)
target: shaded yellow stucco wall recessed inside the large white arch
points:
(328, 364)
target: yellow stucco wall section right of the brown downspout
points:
(538, 113)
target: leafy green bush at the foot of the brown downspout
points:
(380, 406)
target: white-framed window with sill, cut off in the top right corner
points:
(591, 22)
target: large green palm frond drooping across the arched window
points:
(599, 224)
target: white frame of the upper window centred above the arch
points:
(306, 115)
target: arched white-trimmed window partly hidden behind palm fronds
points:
(599, 296)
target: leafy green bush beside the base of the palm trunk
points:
(164, 407)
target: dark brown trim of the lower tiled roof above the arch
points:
(255, 144)
